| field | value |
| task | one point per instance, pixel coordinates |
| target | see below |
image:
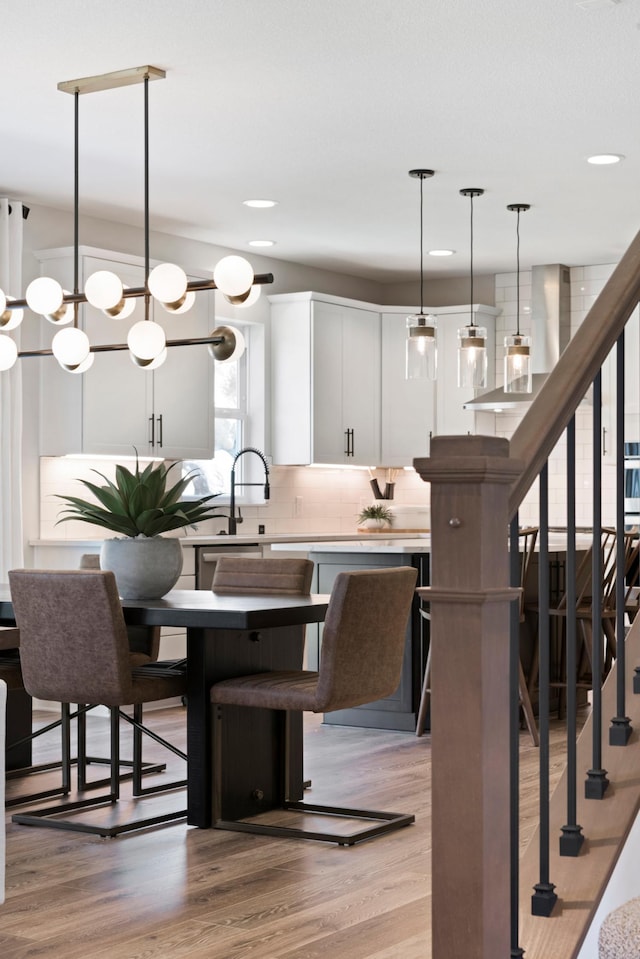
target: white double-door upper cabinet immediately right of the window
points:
(325, 355)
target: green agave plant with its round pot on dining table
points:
(138, 508)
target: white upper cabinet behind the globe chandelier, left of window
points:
(116, 406)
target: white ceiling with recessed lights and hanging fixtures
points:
(325, 105)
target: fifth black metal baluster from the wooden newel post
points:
(620, 728)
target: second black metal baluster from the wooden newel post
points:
(543, 898)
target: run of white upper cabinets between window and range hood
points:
(339, 392)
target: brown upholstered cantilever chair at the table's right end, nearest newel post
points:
(362, 648)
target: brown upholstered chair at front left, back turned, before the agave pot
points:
(74, 649)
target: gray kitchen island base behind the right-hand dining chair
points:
(398, 711)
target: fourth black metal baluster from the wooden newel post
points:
(596, 782)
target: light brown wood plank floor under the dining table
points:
(177, 891)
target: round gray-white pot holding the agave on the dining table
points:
(144, 567)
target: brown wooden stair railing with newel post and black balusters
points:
(477, 486)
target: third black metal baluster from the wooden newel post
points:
(571, 839)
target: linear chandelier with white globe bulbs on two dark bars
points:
(167, 283)
